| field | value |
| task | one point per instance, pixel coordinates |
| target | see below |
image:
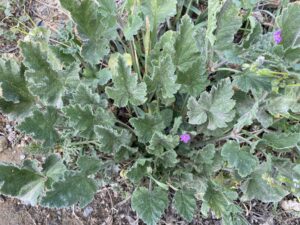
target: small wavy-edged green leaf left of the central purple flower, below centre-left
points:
(112, 140)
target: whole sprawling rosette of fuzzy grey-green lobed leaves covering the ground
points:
(120, 93)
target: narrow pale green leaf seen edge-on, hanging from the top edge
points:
(214, 7)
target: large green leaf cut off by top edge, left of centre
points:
(96, 20)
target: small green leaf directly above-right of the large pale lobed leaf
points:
(249, 81)
